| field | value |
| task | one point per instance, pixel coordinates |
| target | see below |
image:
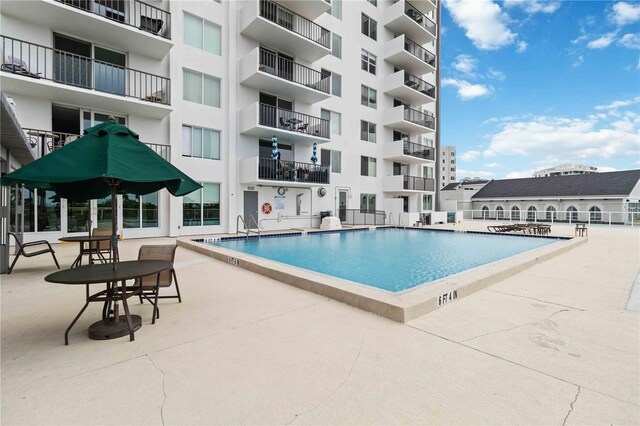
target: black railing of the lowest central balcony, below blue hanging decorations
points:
(292, 171)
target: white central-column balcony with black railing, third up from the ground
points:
(264, 70)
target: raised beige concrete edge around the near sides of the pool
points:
(401, 307)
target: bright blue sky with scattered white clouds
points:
(533, 84)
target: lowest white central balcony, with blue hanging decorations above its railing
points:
(257, 170)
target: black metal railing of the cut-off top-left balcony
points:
(132, 13)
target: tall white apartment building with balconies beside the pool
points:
(347, 90)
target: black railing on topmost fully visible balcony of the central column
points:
(293, 22)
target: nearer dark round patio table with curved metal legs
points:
(109, 327)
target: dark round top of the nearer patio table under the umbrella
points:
(103, 272)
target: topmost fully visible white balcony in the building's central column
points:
(273, 25)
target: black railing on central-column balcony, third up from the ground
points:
(285, 68)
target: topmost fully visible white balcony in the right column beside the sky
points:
(403, 17)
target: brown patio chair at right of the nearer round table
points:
(150, 285)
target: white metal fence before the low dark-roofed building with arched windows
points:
(556, 216)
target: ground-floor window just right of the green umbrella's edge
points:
(202, 207)
